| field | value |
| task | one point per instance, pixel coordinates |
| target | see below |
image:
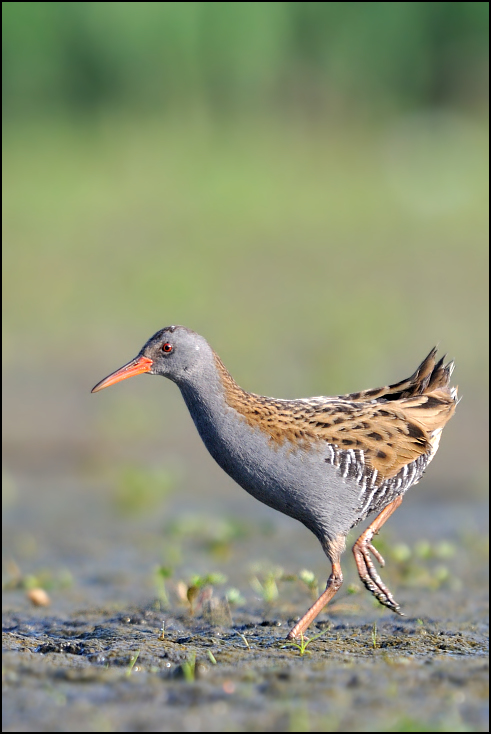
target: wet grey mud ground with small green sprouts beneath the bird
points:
(174, 618)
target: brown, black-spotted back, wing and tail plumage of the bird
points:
(385, 429)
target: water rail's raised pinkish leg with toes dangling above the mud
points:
(362, 549)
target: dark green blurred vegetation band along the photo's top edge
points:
(234, 56)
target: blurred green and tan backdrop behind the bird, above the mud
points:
(303, 183)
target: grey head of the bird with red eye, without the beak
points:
(176, 353)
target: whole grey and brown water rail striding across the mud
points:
(328, 462)
